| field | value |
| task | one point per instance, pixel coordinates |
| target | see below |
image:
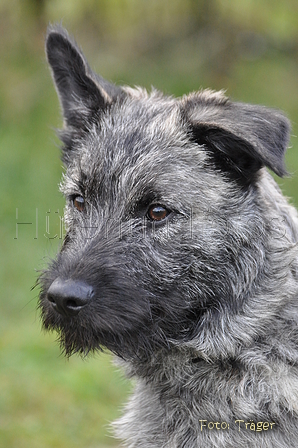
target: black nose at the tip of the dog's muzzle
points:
(68, 297)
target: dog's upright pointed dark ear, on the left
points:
(82, 93)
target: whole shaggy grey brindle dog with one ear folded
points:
(180, 257)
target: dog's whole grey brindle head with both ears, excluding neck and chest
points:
(166, 229)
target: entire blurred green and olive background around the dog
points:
(248, 47)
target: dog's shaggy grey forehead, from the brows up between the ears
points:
(139, 147)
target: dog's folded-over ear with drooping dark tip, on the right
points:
(241, 137)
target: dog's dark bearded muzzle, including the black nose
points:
(110, 310)
